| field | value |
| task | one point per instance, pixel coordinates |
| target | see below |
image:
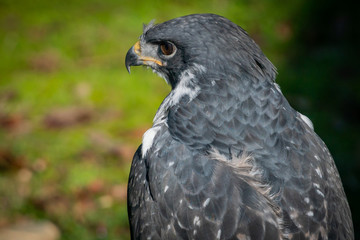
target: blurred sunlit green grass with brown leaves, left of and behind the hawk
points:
(60, 54)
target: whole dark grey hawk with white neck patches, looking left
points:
(227, 157)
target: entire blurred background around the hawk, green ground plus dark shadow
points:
(71, 117)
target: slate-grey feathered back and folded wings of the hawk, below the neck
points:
(196, 182)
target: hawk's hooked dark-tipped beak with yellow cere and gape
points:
(134, 58)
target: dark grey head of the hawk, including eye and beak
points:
(204, 41)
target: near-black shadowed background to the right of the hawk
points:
(321, 79)
